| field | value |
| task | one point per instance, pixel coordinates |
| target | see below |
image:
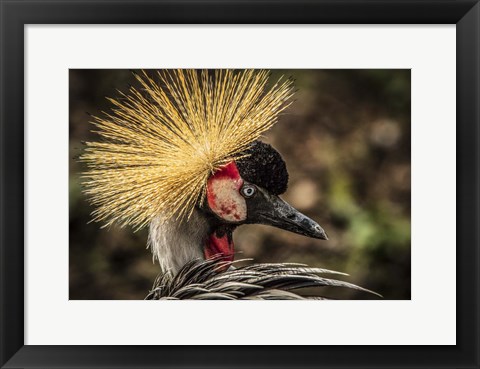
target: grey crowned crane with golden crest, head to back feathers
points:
(183, 156)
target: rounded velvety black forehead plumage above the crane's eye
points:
(264, 167)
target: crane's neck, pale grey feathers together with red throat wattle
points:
(174, 242)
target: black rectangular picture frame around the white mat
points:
(15, 14)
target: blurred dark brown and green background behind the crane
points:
(346, 141)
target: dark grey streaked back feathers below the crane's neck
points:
(205, 280)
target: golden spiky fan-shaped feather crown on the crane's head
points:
(161, 143)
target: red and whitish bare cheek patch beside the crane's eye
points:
(223, 194)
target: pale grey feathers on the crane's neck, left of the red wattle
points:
(174, 243)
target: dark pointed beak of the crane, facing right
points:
(272, 210)
